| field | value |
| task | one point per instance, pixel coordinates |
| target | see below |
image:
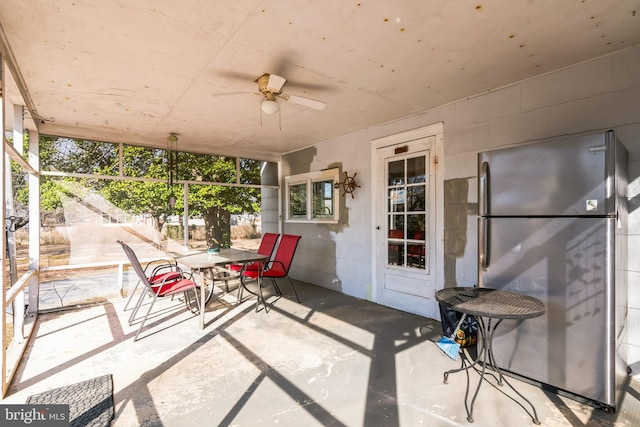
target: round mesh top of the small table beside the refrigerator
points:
(488, 302)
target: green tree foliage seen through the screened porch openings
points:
(214, 203)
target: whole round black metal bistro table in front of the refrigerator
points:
(490, 307)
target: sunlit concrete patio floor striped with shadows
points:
(332, 360)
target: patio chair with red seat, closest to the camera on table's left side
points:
(169, 286)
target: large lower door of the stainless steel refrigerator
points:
(563, 262)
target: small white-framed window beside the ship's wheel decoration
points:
(312, 197)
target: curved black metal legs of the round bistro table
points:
(484, 363)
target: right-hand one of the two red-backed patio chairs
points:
(277, 268)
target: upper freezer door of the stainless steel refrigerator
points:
(562, 177)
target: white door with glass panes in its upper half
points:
(406, 236)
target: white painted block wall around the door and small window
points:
(600, 94)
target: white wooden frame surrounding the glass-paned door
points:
(437, 240)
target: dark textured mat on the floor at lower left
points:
(90, 402)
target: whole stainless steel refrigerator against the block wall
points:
(553, 224)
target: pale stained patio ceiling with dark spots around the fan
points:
(135, 70)
